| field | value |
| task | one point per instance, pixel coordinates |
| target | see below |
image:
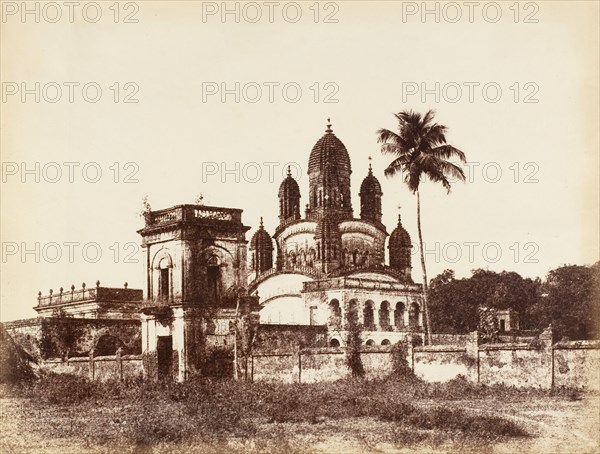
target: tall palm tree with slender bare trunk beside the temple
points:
(420, 149)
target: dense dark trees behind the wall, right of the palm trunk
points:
(569, 299)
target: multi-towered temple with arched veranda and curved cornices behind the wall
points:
(330, 263)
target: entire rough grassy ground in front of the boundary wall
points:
(71, 415)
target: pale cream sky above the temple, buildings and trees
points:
(171, 100)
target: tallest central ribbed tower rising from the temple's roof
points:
(329, 179)
